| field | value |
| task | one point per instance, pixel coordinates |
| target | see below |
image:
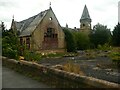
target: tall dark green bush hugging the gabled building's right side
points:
(70, 42)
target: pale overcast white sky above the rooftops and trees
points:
(67, 11)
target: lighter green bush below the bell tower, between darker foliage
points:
(82, 40)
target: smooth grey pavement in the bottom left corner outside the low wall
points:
(12, 79)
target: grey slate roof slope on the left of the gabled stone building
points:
(26, 27)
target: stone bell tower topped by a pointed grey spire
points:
(85, 21)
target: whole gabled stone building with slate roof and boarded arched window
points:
(41, 32)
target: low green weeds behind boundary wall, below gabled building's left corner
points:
(31, 56)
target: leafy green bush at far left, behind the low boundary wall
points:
(10, 44)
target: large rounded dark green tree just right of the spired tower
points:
(100, 35)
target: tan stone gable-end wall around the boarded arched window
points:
(38, 34)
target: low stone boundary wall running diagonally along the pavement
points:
(53, 74)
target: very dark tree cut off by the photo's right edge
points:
(116, 35)
